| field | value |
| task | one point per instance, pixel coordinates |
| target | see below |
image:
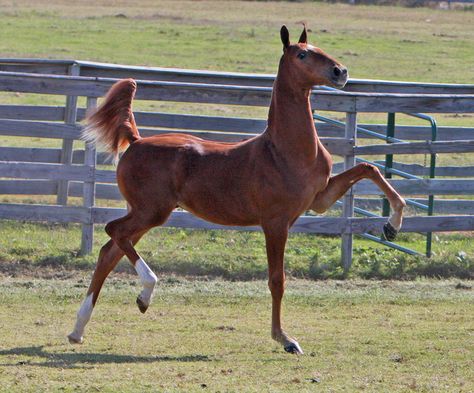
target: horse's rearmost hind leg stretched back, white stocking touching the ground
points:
(109, 256)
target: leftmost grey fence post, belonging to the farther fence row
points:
(70, 117)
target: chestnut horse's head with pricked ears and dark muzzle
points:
(308, 65)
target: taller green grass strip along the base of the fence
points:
(233, 255)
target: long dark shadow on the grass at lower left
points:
(86, 360)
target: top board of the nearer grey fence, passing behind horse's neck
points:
(237, 95)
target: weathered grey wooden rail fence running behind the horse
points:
(66, 172)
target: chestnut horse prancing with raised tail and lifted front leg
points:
(268, 180)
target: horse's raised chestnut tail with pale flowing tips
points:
(112, 125)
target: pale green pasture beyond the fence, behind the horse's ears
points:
(375, 42)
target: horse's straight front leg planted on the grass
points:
(276, 234)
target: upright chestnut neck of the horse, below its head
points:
(290, 121)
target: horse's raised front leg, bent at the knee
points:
(339, 184)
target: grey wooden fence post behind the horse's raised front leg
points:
(348, 201)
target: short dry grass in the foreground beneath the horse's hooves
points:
(214, 336)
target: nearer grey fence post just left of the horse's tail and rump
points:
(88, 191)
